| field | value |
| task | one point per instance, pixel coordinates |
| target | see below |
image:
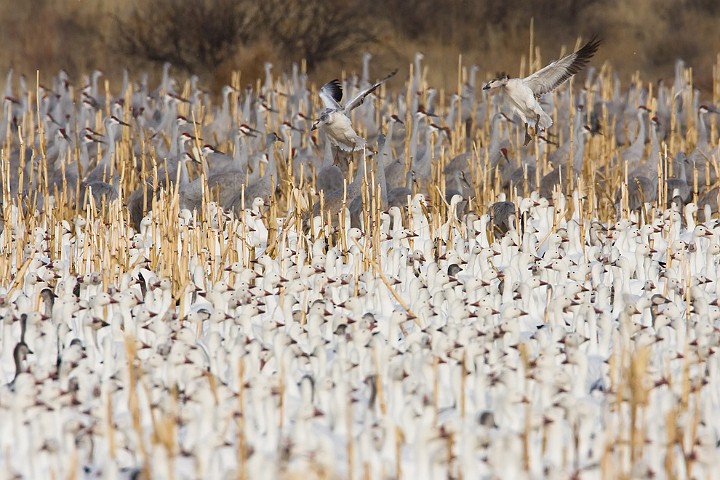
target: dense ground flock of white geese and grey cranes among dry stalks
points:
(193, 290)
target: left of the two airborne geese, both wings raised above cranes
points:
(335, 119)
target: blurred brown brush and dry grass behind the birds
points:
(215, 37)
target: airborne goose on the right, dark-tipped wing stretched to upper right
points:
(523, 93)
